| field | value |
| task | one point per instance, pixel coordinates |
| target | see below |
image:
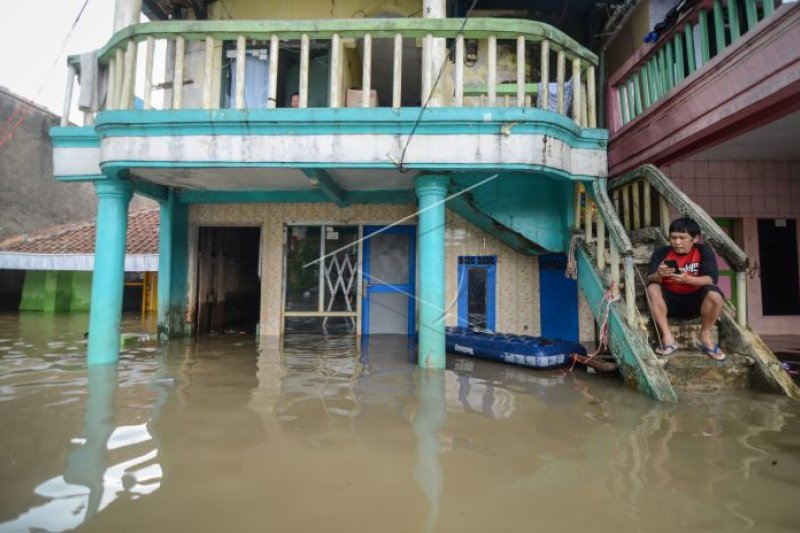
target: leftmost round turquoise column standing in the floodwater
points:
(105, 313)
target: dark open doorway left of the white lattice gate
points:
(228, 279)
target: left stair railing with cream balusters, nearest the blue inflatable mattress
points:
(595, 213)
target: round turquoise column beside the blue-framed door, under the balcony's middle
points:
(431, 191)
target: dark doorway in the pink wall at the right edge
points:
(777, 248)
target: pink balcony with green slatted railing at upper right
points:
(722, 68)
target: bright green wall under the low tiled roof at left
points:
(51, 290)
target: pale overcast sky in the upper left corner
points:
(32, 34)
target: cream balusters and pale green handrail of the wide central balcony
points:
(204, 65)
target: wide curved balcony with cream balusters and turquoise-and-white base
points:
(169, 100)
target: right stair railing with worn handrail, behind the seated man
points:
(646, 191)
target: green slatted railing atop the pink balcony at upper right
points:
(701, 34)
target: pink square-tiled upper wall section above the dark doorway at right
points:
(767, 189)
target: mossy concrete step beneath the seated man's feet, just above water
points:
(694, 370)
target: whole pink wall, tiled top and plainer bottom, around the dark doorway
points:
(747, 190)
